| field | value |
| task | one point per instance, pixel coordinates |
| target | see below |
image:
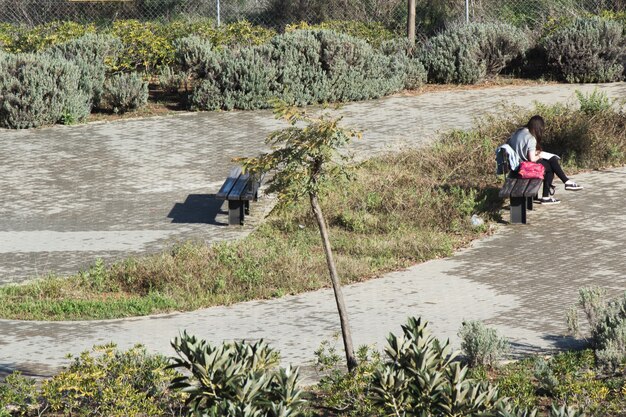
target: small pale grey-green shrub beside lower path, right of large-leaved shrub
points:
(482, 345)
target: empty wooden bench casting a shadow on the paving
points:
(239, 189)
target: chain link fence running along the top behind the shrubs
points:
(432, 15)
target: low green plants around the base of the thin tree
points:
(346, 391)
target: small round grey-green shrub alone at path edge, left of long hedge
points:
(124, 92)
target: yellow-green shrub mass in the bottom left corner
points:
(104, 381)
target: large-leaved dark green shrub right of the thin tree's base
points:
(421, 378)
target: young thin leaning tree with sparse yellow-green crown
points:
(304, 158)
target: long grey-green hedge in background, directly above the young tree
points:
(301, 67)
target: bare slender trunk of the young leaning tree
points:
(334, 278)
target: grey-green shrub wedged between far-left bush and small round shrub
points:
(90, 53)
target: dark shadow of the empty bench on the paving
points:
(198, 208)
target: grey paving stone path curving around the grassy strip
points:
(133, 187)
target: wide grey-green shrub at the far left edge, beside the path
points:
(38, 89)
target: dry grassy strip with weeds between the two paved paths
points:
(403, 208)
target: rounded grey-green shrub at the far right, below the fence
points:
(587, 50)
